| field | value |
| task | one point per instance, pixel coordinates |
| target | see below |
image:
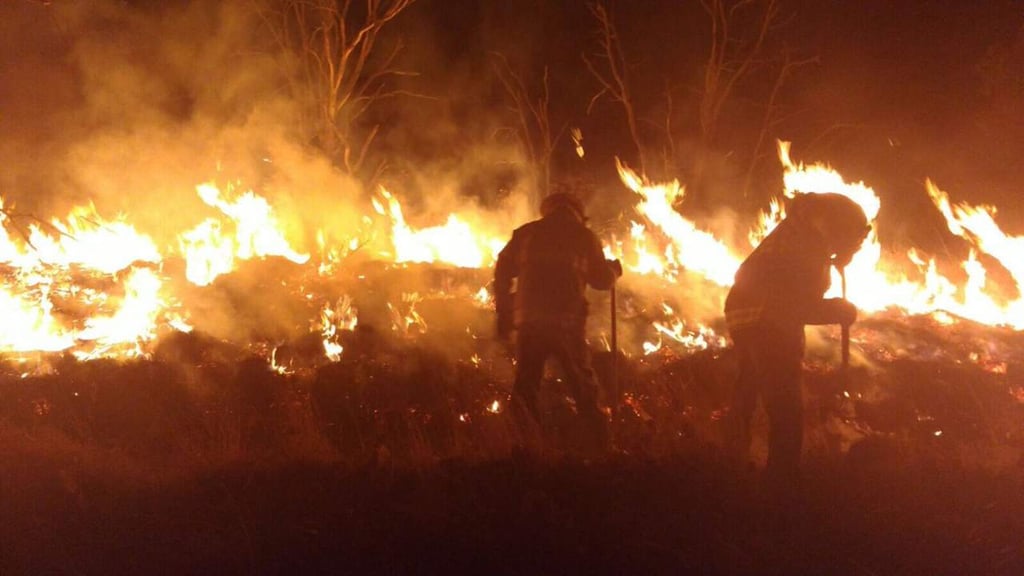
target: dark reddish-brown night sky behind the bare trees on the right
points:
(903, 91)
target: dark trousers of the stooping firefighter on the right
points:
(771, 362)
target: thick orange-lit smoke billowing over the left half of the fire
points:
(131, 106)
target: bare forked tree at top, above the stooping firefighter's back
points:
(731, 57)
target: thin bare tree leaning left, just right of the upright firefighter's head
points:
(613, 76)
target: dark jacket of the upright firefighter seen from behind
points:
(552, 262)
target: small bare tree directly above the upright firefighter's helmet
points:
(533, 111)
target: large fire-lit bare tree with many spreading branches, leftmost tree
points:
(343, 69)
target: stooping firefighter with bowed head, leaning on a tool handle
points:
(779, 291)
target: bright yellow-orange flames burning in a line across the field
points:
(95, 287)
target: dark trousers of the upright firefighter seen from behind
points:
(536, 344)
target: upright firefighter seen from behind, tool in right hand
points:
(552, 261)
